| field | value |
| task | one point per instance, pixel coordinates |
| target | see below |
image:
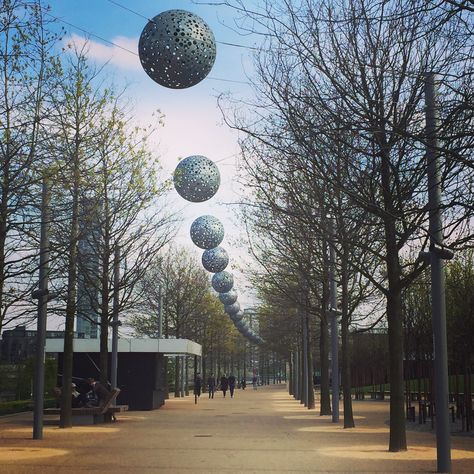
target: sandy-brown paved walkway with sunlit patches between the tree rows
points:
(258, 431)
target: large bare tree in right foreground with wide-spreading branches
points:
(352, 73)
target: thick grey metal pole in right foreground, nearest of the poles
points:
(438, 304)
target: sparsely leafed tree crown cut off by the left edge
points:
(27, 73)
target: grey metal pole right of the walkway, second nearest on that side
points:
(334, 329)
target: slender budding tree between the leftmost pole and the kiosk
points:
(75, 128)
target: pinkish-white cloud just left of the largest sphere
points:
(123, 53)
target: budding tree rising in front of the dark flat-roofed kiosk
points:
(126, 218)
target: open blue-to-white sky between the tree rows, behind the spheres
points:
(193, 124)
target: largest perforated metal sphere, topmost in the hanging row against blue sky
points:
(177, 49)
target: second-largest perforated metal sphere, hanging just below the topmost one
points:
(196, 178)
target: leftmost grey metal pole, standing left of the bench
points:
(42, 295)
